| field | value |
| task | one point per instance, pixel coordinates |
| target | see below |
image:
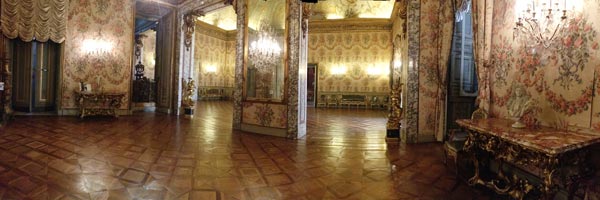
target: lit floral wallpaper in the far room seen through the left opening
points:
(214, 52)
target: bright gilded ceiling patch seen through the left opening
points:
(224, 18)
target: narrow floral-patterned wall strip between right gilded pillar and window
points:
(435, 31)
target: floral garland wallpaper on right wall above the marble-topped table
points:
(562, 78)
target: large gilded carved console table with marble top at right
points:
(559, 157)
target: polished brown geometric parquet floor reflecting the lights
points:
(155, 156)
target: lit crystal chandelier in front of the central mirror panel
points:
(265, 52)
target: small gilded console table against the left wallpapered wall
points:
(98, 103)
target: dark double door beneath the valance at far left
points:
(35, 69)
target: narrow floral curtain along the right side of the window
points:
(482, 11)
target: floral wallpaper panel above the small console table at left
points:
(108, 20)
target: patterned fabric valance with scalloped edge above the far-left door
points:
(41, 20)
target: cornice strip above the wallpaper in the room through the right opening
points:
(341, 25)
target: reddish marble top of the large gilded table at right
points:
(544, 139)
